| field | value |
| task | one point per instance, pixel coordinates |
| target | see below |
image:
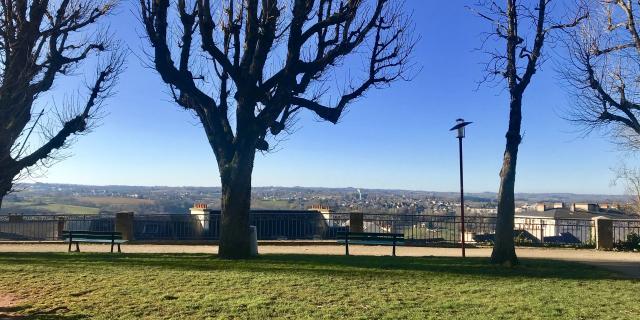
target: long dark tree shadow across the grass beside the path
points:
(347, 266)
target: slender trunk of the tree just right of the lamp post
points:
(504, 248)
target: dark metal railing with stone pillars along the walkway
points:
(310, 225)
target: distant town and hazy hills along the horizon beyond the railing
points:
(40, 198)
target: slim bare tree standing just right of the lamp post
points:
(524, 28)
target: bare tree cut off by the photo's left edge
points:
(40, 42)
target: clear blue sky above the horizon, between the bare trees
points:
(395, 138)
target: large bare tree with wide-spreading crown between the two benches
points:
(266, 60)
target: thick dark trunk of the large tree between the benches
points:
(235, 205)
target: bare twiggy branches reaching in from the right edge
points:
(604, 70)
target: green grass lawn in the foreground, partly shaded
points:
(178, 286)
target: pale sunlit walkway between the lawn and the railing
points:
(627, 263)
